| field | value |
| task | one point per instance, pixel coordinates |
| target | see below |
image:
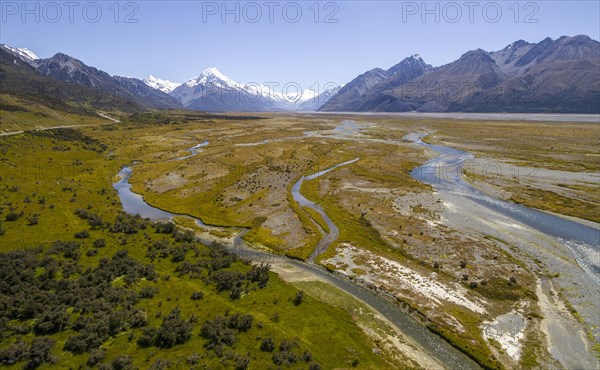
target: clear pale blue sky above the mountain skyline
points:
(327, 42)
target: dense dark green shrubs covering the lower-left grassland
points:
(44, 292)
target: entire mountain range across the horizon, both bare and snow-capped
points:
(560, 75)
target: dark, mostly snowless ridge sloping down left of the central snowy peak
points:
(65, 68)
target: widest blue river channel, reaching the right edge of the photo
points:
(444, 173)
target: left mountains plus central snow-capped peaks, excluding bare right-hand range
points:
(210, 91)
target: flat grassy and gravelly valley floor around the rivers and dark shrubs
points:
(500, 292)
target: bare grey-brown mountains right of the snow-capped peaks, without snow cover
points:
(551, 76)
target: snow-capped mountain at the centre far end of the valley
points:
(213, 91)
